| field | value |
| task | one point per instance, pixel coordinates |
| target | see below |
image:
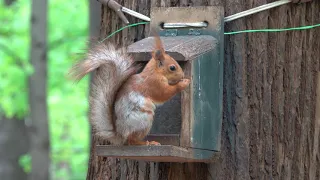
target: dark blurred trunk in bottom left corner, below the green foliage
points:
(13, 144)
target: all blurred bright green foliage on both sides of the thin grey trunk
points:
(67, 101)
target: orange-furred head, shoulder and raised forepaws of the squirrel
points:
(159, 83)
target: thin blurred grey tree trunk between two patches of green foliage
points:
(39, 144)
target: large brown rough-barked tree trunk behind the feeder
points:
(269, 128)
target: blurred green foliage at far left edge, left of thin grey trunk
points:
(14, 66)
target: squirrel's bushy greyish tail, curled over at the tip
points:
(112, 67)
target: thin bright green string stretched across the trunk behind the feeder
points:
(228, 33)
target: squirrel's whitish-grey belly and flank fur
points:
(134, 113)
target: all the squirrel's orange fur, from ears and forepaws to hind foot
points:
(158, 83)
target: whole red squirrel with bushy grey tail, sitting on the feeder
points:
(122, 102)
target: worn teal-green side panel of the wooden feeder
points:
(207, 92)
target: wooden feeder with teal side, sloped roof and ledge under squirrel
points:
(189, 125)
